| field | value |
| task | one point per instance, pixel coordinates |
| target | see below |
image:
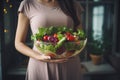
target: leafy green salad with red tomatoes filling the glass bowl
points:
(58, 42)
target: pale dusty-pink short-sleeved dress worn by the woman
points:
(44, 16)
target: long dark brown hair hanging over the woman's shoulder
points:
(68, 8)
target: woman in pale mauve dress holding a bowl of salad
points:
(37, 13)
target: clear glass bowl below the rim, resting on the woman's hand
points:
(62, 52)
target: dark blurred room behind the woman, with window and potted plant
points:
(100, 20)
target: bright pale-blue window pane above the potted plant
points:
(98, 14)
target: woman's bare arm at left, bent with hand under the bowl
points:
(21, 32)
